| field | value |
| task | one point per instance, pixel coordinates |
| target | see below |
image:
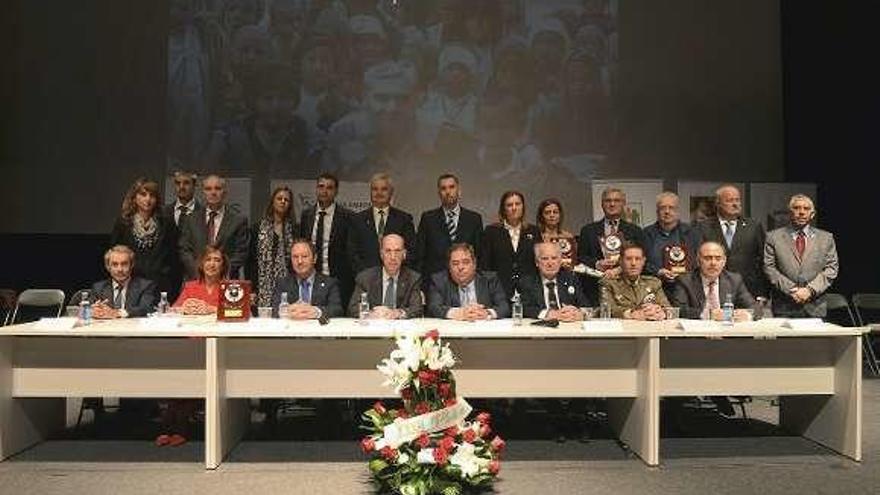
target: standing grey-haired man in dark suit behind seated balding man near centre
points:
(368, 226)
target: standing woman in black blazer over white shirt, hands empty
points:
(507, 247)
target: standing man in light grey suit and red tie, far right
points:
(801, 262)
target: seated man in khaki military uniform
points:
(634, 296)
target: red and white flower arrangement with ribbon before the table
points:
(427, 446)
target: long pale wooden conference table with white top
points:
(816, 371)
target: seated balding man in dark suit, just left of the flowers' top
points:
(393, 291)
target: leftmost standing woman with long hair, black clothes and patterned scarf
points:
(152, 236)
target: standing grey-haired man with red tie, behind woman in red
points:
(214, 224)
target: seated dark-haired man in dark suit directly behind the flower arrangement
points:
(464, 294)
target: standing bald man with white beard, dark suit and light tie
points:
(741, 238)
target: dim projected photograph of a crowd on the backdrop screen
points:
(502, 92)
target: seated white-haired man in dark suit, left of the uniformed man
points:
(554, 294)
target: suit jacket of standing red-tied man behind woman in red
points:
(232, 239)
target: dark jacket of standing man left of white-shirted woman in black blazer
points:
(433, 242)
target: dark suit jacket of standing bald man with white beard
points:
(746, 254)
